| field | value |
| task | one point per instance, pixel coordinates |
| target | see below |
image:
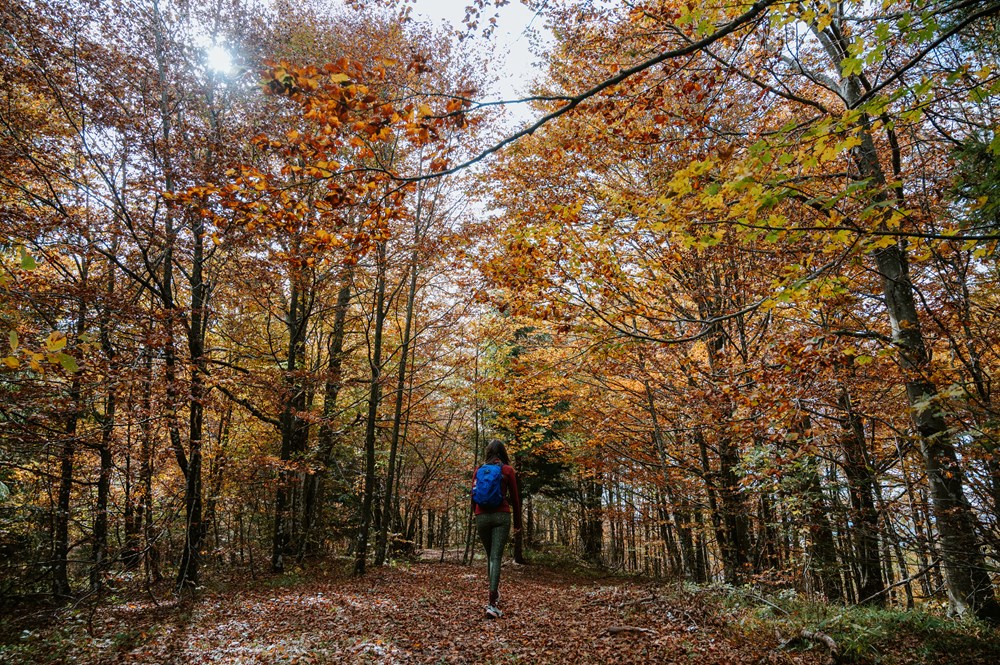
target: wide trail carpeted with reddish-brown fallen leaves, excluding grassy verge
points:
(426, 613)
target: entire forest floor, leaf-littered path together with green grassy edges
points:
(433, 612)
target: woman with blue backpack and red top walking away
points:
(494, 497)
